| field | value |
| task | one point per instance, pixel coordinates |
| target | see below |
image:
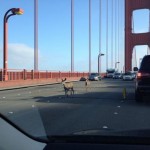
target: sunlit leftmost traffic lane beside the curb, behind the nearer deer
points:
(55, 89)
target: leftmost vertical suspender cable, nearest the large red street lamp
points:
(35, 35)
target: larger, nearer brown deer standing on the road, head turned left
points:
(68, 86)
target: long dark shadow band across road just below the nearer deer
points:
(81, 98)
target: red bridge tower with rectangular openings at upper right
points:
(133, 39)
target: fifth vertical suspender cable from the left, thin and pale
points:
(107, 34)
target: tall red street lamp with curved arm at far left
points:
(12, 11)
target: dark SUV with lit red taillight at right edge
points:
(142, 86)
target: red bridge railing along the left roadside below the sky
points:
(31, 74)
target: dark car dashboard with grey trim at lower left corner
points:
(12, 138)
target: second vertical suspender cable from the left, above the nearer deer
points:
(72, 35)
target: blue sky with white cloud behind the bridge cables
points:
(54, 34)
